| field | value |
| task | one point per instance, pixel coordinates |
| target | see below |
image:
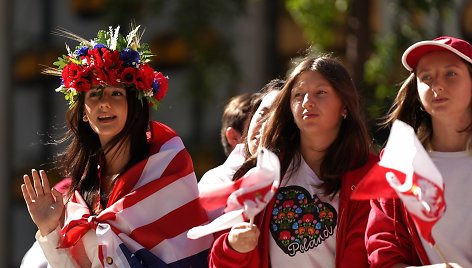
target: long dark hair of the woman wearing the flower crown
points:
(84, 152)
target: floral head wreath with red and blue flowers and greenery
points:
(109, 60)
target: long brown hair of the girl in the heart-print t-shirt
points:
(281, 135)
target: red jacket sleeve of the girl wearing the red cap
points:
(391, 236)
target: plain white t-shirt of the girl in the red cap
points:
(453, 231)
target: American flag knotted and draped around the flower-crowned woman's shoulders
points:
(150, 209)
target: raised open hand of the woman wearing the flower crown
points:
(45, 205)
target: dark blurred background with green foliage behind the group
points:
(211, 50)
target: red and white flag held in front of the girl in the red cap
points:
(406, 171)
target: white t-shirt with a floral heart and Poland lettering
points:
(303, 224)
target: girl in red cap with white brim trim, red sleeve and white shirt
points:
(436, 100)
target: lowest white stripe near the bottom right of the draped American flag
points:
(181, 247)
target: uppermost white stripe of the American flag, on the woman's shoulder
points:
(158, 162)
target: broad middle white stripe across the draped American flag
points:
(156, 205)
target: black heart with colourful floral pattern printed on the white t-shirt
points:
(300, 222)
